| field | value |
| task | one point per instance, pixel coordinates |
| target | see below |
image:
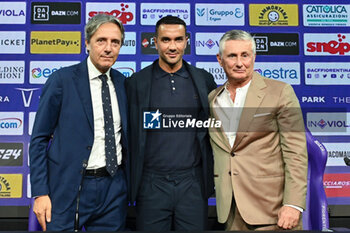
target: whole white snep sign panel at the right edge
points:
(327, 44)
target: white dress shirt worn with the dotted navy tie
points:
(97, 157)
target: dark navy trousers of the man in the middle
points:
(171, 201)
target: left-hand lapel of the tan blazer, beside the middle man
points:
(216, 134)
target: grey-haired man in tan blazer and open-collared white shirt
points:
(260, 156)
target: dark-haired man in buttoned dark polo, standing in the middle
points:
(172, 169)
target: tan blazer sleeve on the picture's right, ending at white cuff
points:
(294, 150)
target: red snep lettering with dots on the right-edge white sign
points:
(339, 46)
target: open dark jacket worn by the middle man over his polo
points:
(138, 88)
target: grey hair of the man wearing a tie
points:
(99, 19)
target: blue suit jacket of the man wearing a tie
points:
(63, 133)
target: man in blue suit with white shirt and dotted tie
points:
(78, 149)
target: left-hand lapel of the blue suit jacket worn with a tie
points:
(81, 80)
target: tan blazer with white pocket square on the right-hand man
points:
(267, 165)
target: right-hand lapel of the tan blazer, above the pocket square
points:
(253, 100)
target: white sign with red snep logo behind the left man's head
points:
(125, 12)
